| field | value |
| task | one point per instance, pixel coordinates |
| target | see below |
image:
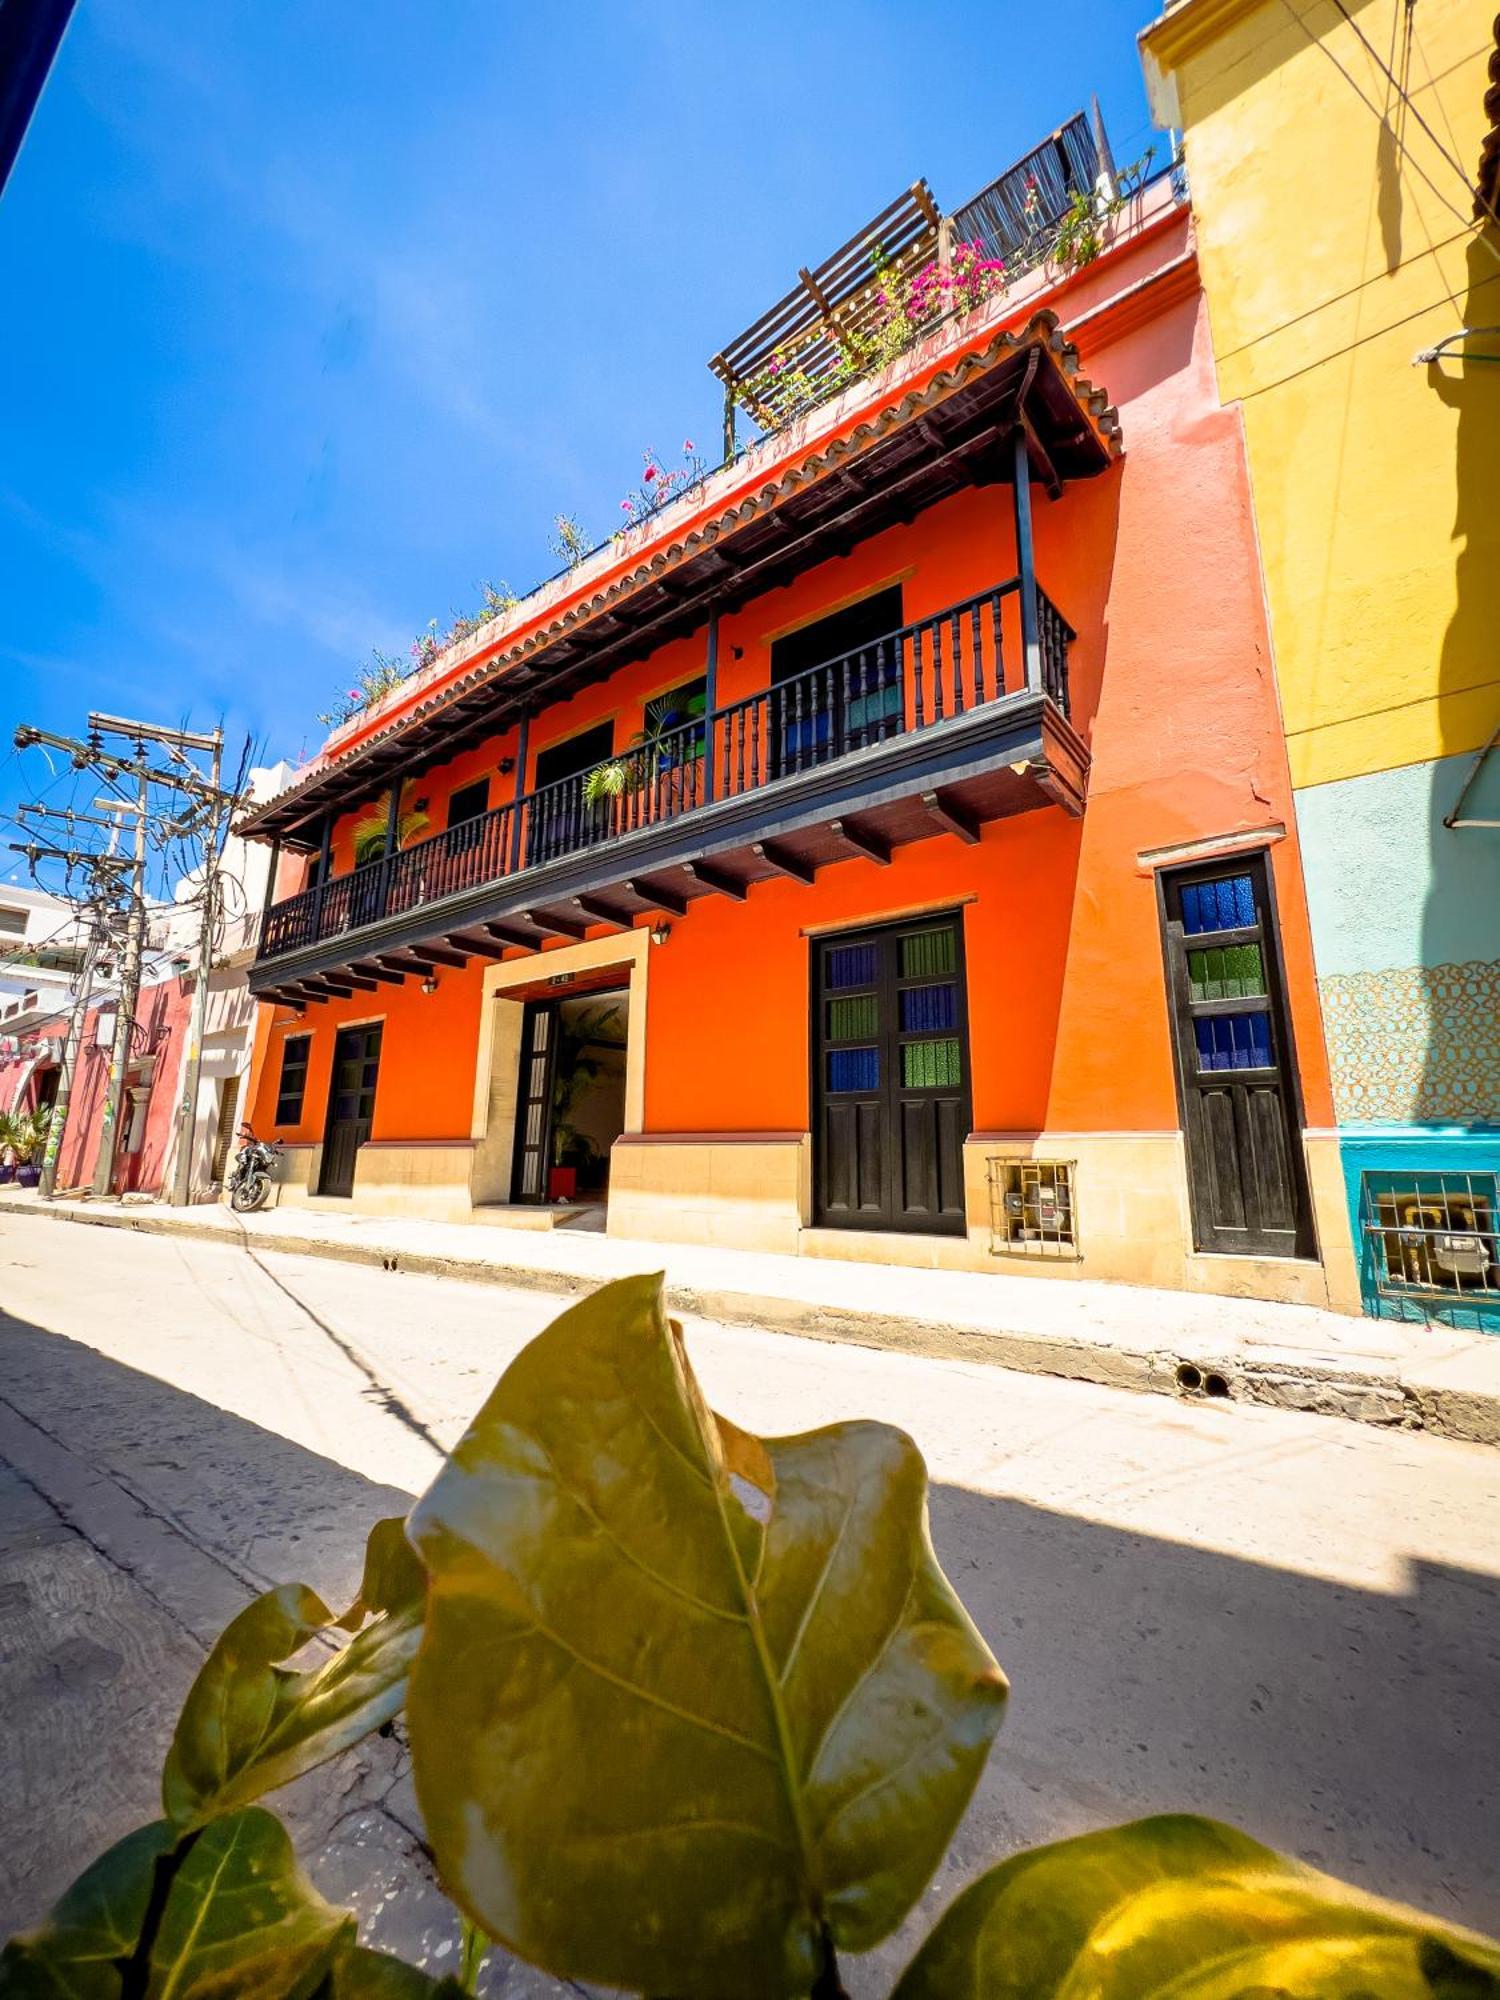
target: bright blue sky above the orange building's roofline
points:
(317, 315)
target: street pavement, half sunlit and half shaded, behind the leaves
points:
(1285, 1621)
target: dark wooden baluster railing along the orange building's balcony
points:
(905, 681)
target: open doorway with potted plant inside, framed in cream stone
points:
(573, 1097)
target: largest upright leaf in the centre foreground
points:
(689, 1707)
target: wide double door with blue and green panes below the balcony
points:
(891, 1079)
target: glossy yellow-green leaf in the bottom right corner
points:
(1193, 1911)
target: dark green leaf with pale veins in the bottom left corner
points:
(227, 1913)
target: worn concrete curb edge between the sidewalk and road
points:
(1273, 1379)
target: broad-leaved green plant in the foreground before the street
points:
(691, 1713)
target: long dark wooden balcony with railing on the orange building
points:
(937, 727)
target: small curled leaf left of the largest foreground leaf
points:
(253, 1723)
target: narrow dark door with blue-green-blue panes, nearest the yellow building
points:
(1237, 1073)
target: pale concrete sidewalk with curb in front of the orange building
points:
(1129, 1337)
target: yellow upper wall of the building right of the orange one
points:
(1337, 241)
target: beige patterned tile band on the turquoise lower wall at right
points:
(1415, 1045)
